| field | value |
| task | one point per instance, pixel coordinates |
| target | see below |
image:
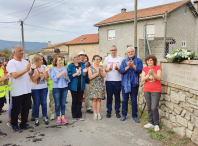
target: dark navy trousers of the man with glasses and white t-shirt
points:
(113, 88)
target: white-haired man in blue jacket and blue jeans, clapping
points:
(130, 68)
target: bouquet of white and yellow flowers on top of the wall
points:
(180, 55)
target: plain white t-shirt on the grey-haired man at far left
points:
(20, 85)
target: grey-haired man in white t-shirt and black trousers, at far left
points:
(18, 69)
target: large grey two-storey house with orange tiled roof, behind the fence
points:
(170, 18)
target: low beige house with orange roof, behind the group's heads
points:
(87, 43)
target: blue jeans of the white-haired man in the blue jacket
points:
(125, 98)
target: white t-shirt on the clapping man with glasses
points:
(113, 75)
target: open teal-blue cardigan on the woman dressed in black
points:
(74, 80)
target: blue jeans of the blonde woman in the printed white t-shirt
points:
(40, 97)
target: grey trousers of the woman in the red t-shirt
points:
(152, 101)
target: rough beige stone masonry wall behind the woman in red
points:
(178, 109)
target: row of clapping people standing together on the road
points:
(81, 76)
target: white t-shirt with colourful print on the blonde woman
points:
(41, 83)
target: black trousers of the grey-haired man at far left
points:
(23, 103)
